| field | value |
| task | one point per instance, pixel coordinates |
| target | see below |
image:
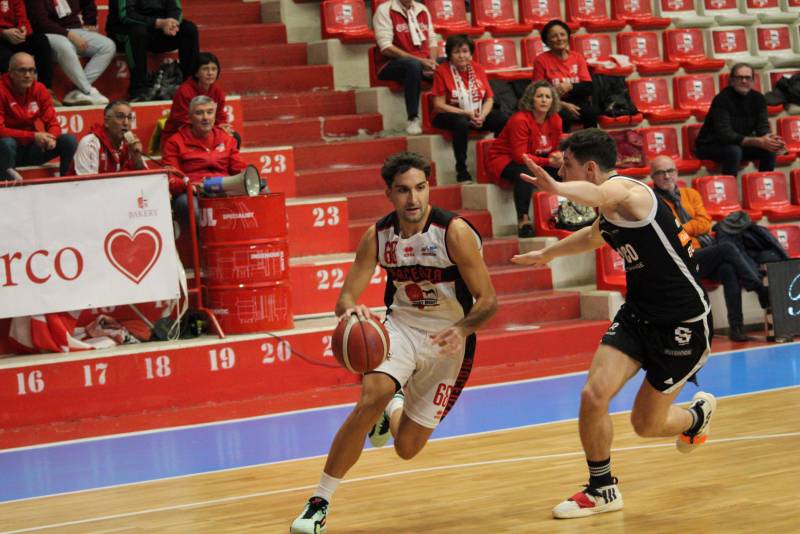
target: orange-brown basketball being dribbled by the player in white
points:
(360, 345)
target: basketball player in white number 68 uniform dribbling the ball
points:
(438, 293)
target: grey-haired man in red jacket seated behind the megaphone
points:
(199, 150)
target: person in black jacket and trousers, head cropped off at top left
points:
(141, 26)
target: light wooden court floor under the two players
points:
(744, 480)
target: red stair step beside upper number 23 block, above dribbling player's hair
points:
(349, 152)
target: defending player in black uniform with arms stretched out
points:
(664, 327)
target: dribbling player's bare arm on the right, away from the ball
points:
(462, 245)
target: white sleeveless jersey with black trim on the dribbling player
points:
(424, 288)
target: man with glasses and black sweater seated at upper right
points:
(736, 128)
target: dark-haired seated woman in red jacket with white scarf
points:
(463, 99)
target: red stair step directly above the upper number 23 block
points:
(283, 131)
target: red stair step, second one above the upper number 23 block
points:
(295, 105)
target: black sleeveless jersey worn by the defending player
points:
(663, 286)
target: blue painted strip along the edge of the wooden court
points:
(83, 465)
